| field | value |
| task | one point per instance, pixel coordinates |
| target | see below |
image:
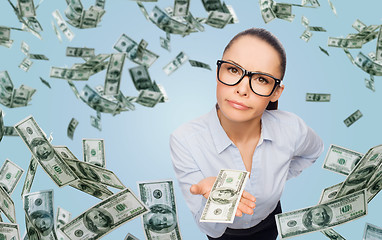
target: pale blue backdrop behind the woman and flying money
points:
(137, 141)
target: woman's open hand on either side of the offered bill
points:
(246, 204)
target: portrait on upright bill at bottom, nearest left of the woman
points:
(161, 219)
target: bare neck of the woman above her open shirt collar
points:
(240, 132)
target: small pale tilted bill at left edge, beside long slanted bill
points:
(10, 175)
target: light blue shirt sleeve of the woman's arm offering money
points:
(188, 173)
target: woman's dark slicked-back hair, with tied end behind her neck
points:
(272, 40)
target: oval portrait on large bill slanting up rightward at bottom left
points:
(98, 220)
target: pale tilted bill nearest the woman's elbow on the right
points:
(341, 160)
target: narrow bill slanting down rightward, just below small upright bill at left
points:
(92, 173)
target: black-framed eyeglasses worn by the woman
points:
(261, 84)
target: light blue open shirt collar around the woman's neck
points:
(220, 138)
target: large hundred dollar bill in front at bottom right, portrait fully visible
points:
(322, 216)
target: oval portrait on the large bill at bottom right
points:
(317, 217)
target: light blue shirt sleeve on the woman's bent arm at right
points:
(308, 148)
